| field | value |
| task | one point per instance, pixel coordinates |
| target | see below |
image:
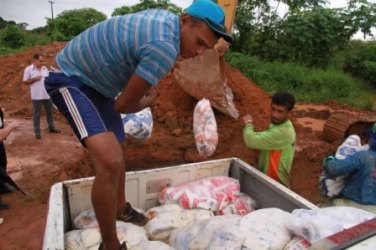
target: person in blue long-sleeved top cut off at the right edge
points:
(360, 186)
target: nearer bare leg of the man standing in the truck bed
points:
(108, 157)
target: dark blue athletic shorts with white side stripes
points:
(87, 111)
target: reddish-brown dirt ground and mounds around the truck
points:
(37, 164)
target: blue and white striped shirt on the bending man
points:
(106, 55)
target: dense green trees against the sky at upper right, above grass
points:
(308, 34)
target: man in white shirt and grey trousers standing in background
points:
(34, 75)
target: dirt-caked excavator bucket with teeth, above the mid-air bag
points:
(201, 77)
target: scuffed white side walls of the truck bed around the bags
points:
(69, 198)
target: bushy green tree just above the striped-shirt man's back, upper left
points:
(70, 23)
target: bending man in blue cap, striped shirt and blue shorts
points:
(123, 57)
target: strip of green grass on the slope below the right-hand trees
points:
(307, 84)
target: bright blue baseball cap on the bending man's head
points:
(212, 14)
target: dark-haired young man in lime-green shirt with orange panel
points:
(277, 143)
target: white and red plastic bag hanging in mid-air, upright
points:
(205, 128)
